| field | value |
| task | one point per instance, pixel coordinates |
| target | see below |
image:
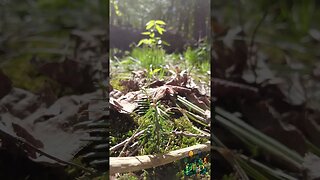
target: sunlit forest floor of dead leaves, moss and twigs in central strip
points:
(158, 110)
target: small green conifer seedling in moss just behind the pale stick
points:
(160, 124)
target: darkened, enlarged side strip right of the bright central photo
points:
(265, 74)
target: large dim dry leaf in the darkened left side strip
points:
(49, 129)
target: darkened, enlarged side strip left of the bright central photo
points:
(53, 69)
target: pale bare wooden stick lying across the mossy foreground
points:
(136, 163)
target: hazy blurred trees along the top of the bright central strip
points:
(184, 17)
